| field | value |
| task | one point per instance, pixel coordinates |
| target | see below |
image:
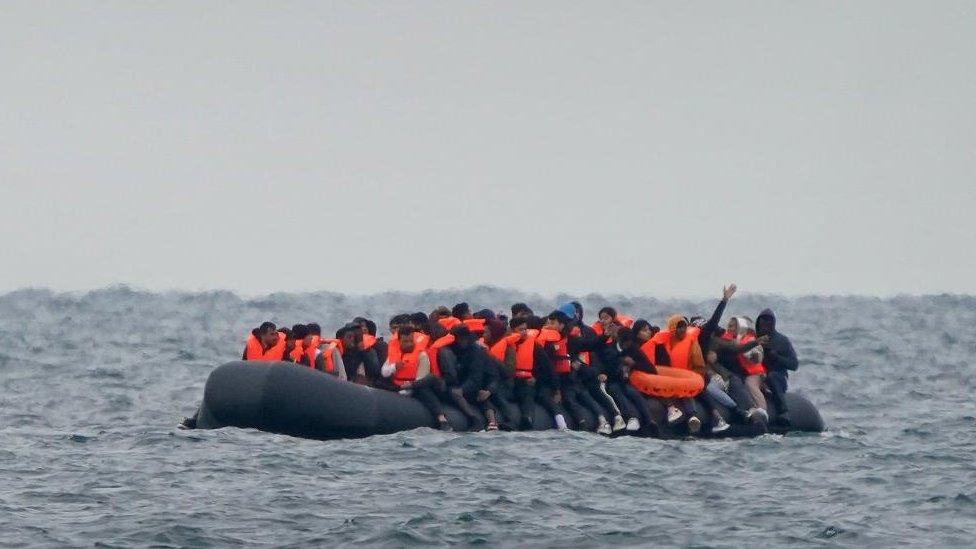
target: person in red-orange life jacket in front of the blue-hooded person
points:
(561, 353)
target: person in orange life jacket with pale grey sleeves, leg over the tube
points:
(411, 374)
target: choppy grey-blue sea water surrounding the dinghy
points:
(93, 385)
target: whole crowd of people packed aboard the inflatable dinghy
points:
(495, 367)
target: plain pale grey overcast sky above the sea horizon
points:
(649, 147)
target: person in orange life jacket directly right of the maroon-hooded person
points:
(535, 378)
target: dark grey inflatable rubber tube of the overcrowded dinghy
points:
(293, 400)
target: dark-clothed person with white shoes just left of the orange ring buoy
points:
(619, 355)
